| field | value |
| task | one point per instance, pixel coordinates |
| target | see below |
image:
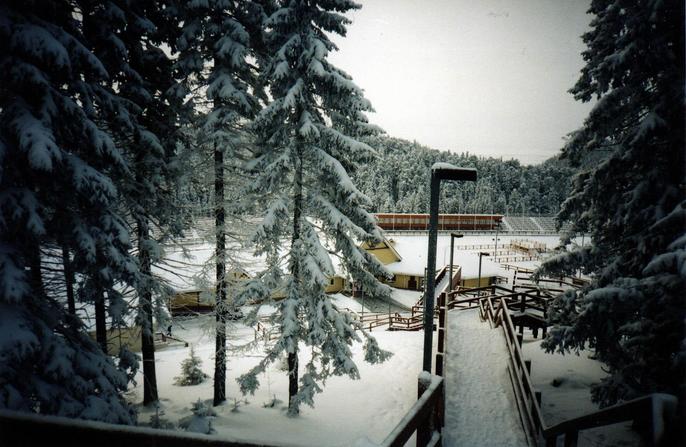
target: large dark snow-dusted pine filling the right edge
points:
(632, 201)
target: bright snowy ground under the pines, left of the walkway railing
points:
(346, 412)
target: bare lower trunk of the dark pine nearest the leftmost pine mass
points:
(150, 394)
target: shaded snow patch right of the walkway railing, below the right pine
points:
(565, 382)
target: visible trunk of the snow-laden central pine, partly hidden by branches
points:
(295, 274)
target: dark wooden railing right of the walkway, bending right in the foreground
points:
(655, 409)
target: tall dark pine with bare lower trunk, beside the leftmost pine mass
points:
(127, 37)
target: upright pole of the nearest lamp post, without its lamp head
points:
(429, 291)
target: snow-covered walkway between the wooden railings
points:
(480, 407)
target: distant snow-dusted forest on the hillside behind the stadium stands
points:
(397, 180)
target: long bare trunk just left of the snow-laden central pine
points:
(220, 300)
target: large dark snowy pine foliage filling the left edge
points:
(55, 164)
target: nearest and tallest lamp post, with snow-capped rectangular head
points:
(439, 172)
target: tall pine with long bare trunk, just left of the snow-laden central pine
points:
(215, 46)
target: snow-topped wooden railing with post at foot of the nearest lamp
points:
(425, 417)
